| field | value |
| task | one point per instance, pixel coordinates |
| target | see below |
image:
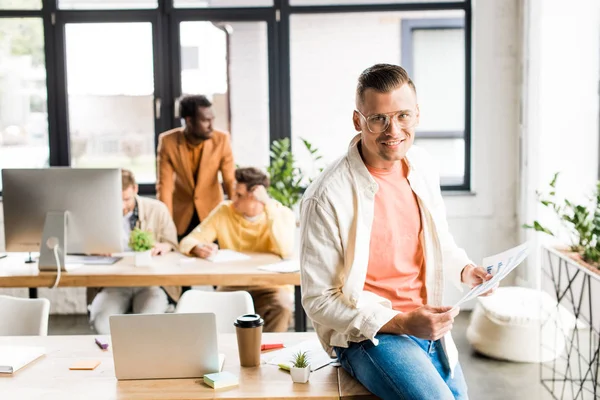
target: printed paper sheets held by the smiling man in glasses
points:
(498, 265)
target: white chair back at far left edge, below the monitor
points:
(23, 317)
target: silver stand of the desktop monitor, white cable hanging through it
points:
(54, 234)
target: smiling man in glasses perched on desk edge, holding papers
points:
(376, 249)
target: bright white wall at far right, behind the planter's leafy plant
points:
(560, 126)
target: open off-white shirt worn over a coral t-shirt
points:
(336, 219)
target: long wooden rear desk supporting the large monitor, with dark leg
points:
(165, 270)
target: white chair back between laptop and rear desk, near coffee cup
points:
(227, 306)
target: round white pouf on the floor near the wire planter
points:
(506, 325)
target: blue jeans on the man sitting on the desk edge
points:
(403, 367)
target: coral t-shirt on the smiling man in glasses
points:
(396, 261)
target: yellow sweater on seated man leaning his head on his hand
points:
(273, 232)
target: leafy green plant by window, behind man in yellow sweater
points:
(288, 181)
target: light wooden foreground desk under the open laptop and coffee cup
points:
(50, 378)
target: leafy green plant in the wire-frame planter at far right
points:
(581, 220)
